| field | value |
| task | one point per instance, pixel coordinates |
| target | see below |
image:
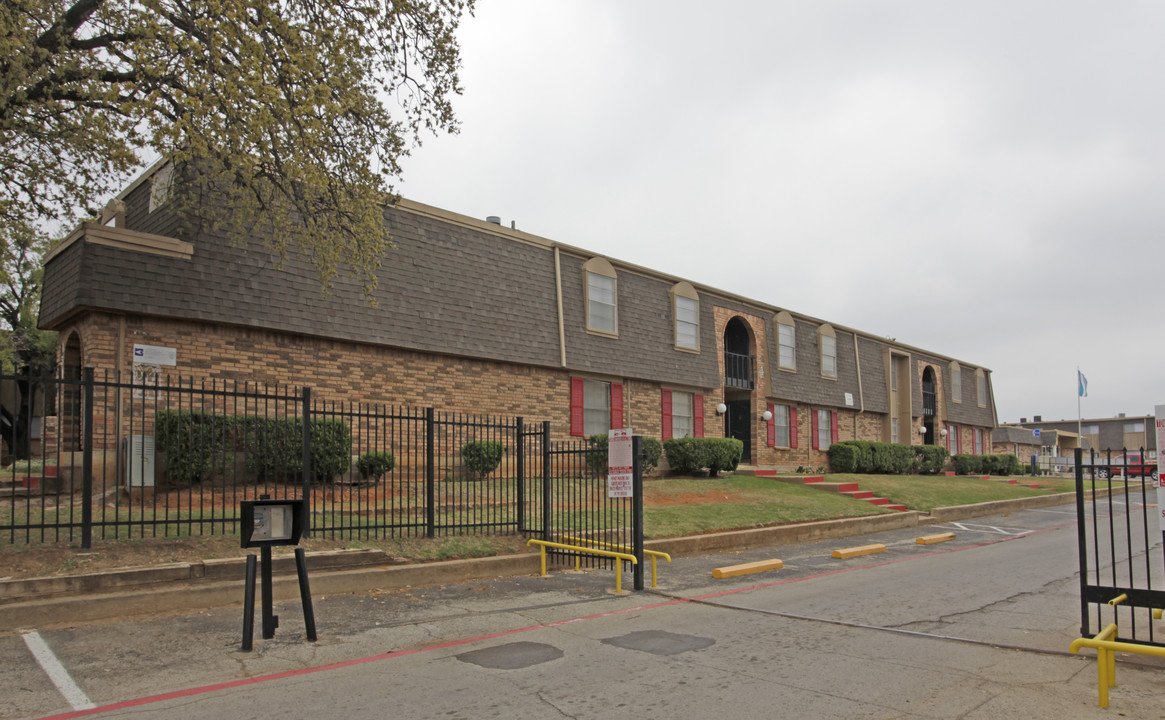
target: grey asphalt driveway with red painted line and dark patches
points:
(977, 627)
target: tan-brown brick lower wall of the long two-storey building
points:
(350, 372)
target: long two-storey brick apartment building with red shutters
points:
(472, 316)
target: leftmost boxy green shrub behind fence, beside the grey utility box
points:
(194, 443)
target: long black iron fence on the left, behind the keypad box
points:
(98, 457)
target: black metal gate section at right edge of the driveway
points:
(1121, 534)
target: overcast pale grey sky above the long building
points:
(984, 180)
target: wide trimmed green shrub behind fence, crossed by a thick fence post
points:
(276, 448)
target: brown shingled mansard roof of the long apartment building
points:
(453, 285)
